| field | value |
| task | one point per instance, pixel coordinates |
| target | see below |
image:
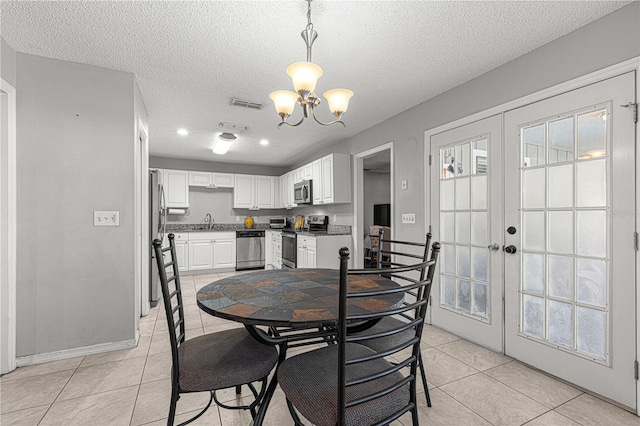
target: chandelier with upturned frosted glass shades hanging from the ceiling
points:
(305, 75)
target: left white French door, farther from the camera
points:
(466, 209)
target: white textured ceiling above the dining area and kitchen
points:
(190, 58)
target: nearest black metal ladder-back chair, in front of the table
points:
(351, 383)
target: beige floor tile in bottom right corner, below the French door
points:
(589, 410)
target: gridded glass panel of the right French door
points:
(564, 284)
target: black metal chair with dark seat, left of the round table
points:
(227, 359)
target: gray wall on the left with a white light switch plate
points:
(75, 283)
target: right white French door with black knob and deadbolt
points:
(569, 269)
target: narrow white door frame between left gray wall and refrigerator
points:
(141, 215)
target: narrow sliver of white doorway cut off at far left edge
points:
(7, 228)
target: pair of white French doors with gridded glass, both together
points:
(555, 239)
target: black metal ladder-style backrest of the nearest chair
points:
(411, 299)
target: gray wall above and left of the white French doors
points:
(607, 41)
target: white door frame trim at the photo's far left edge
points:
(9, 350)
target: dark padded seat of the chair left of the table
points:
(223, 360)
